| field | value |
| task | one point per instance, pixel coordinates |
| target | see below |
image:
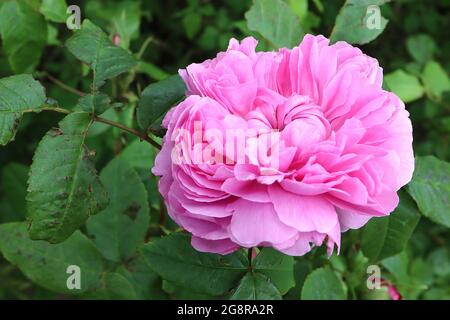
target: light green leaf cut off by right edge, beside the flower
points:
(430, 188)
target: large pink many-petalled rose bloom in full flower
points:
(284, 149)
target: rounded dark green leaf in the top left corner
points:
(24, 35)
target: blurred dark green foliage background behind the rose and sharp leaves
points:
(414, 51)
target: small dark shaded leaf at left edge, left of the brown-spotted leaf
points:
(14, 186)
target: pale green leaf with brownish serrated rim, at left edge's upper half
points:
(18, 94)
